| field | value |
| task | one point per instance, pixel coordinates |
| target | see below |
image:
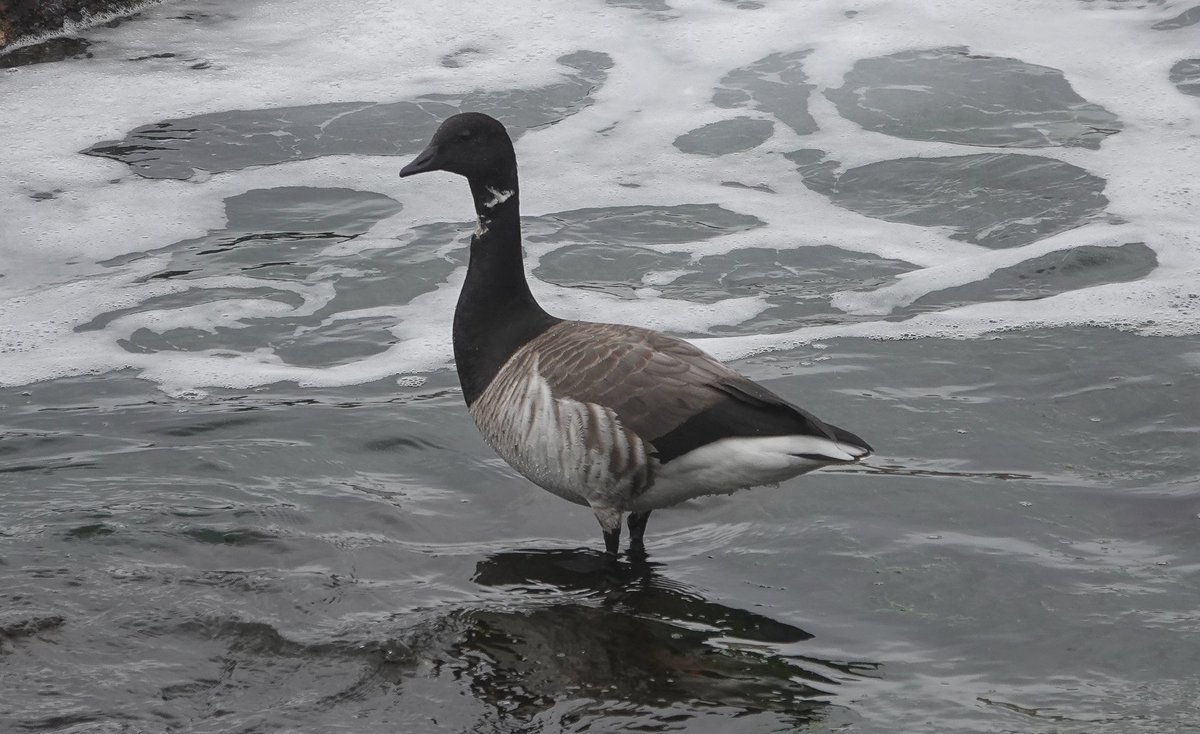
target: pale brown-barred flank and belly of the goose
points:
(577, 450)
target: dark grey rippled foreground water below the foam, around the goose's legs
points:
(1019, 557)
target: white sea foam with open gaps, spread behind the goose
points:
(83, 238)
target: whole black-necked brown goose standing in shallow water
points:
(616, 418)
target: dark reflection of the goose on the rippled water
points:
(595, 639)
